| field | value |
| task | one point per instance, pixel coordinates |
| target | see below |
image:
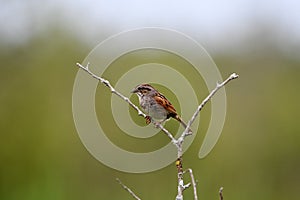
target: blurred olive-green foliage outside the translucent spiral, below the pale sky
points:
(42, 157)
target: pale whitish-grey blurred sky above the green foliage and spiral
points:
(214, 23)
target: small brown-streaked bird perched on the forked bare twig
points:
(156, 105)
